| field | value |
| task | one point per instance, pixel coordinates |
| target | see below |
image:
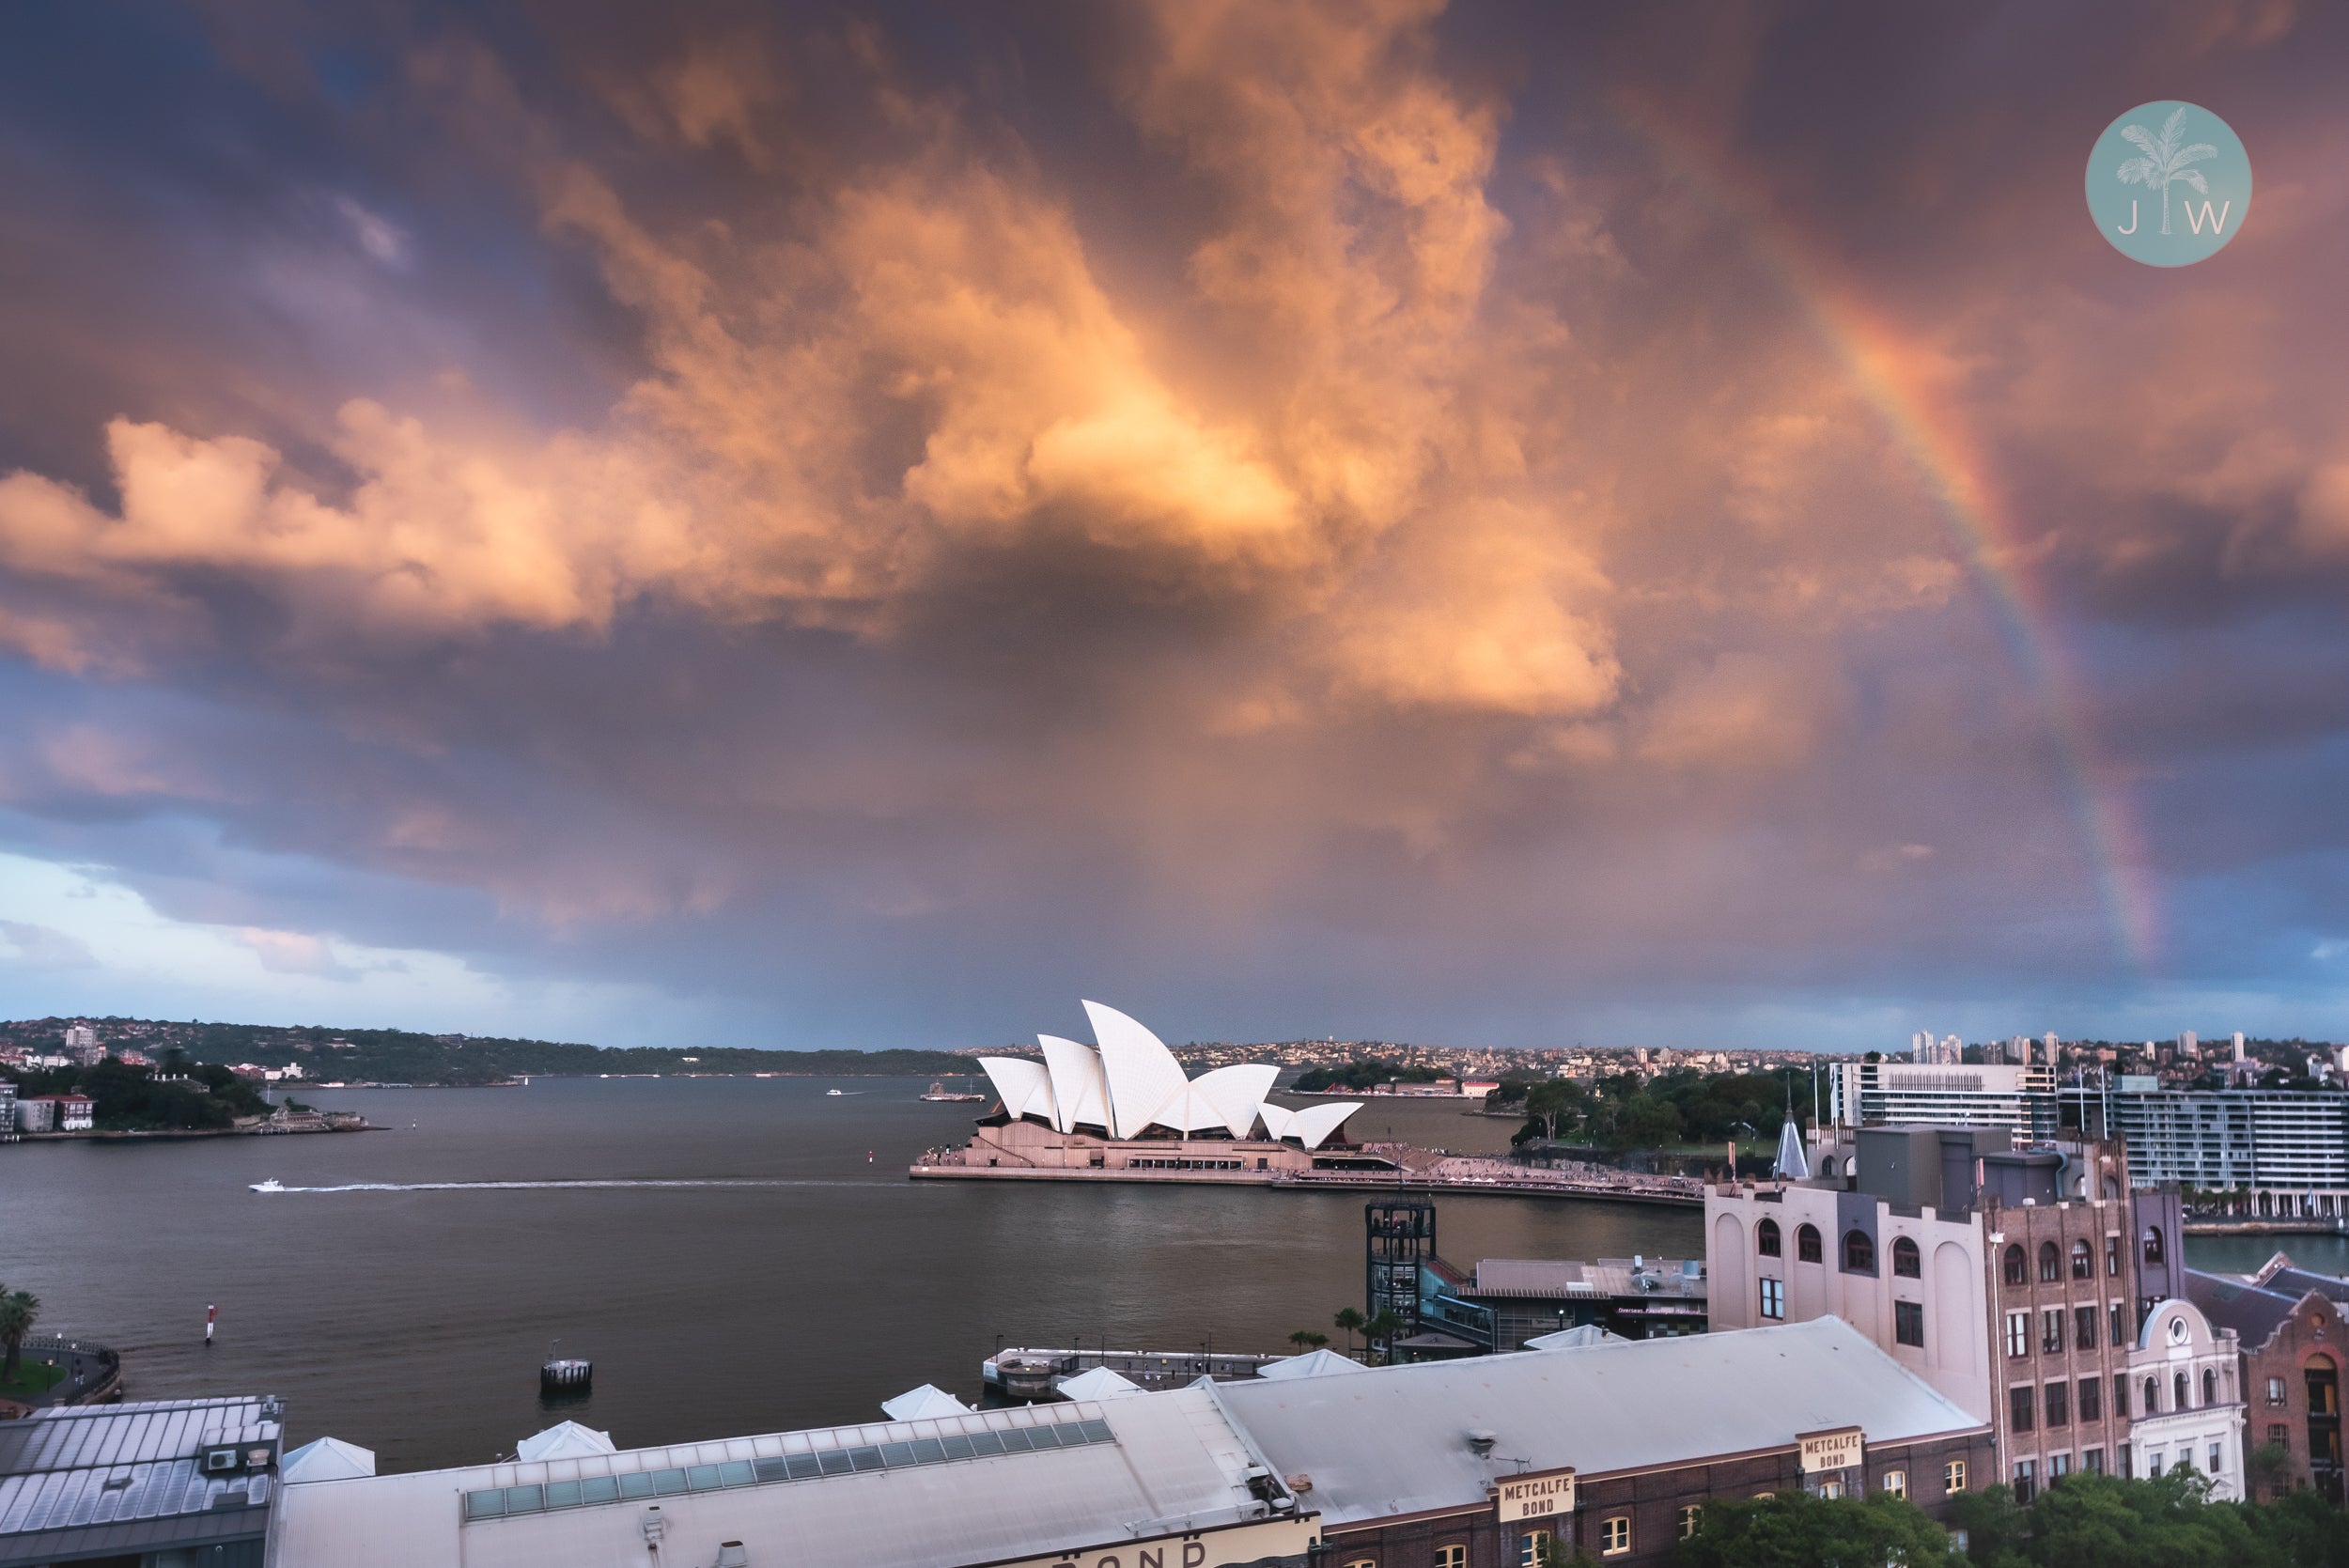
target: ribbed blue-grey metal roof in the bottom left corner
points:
(105, 1466)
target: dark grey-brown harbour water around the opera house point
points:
(772, 1271)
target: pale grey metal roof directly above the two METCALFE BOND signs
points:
(1396, 1442)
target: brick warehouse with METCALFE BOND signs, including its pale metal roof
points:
(1610, 1447)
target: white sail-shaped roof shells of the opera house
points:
(1131, 1083)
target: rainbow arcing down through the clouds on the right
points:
(1904, 386)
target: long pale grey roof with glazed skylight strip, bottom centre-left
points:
(1171, 1464)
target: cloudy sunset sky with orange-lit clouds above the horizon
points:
(1486, 525)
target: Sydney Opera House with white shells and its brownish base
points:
(1126, 1107)
